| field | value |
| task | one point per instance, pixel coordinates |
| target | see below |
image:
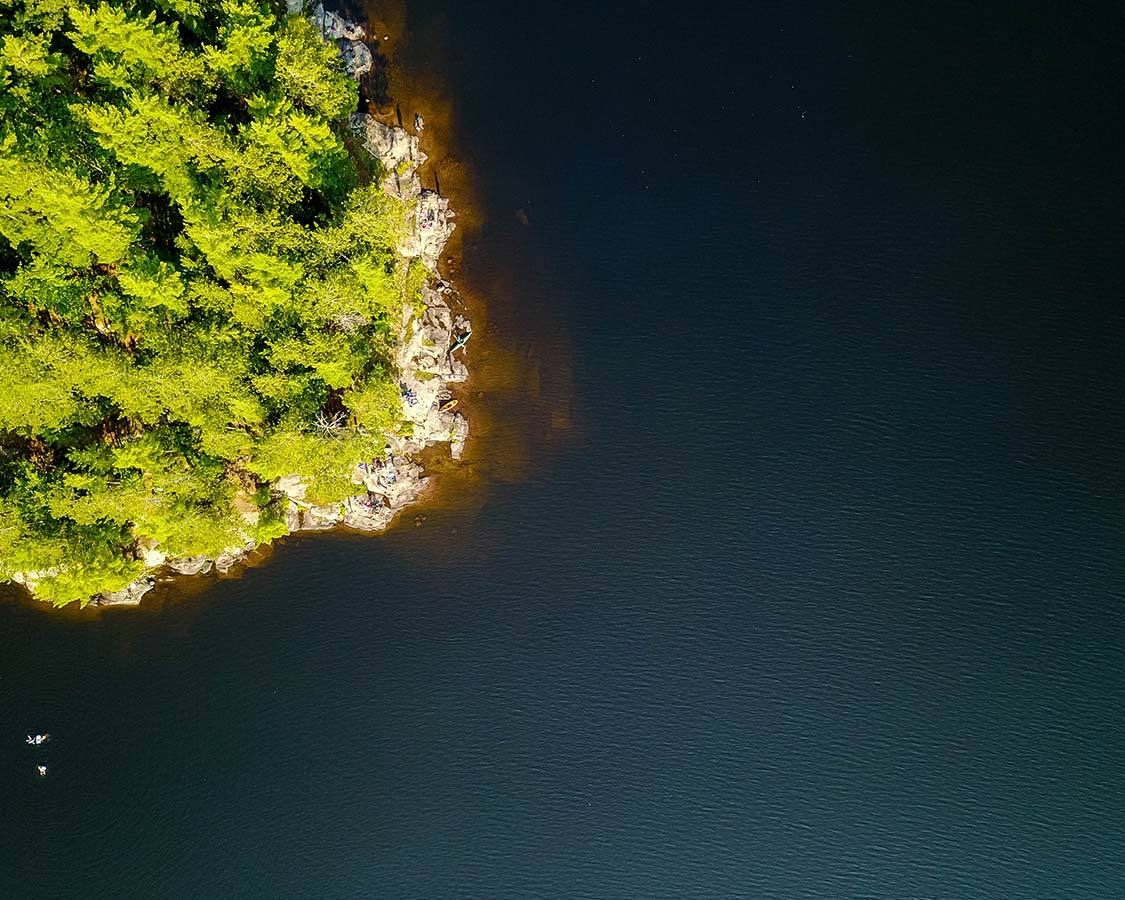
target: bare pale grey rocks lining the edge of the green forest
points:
(430, 337)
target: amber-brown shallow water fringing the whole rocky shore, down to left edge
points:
(519, 391)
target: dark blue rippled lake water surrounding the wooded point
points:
(802, 568)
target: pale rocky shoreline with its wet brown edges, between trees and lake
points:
(434, 382)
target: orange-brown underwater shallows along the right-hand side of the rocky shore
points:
(518, 397)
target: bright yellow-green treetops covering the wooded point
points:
(200, 292)
